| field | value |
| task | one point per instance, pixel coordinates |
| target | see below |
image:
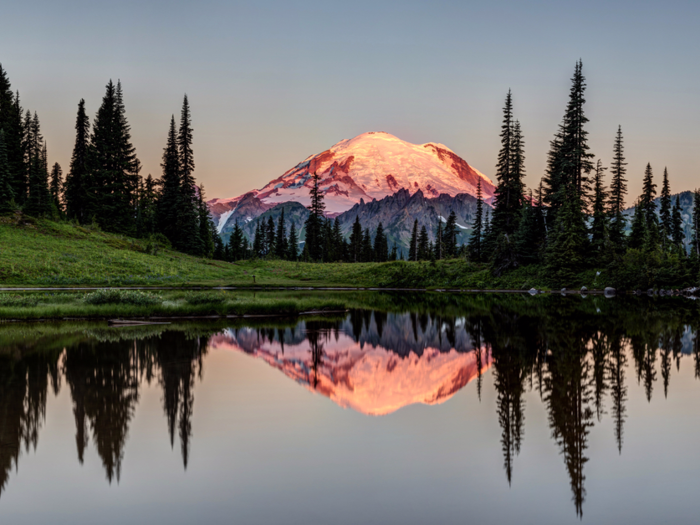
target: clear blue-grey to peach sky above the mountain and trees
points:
(272, 82)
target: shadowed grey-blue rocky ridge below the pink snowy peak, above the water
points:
(396, 213)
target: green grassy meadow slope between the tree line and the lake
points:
(42, 253)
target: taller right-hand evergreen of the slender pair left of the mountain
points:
(188, 237)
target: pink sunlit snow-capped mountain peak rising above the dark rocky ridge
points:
(370, 166)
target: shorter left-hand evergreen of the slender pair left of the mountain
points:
(170, 199)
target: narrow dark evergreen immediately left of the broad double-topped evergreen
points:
(76, 186)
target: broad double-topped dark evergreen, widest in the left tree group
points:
(112, 166)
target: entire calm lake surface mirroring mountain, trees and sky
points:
(422, 409)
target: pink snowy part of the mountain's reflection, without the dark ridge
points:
(366, 378)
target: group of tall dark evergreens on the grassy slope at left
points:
(103, 185)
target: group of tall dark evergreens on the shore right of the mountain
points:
(572, 222)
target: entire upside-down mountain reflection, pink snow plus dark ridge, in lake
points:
(374, 363)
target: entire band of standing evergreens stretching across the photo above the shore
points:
(569, 224)
